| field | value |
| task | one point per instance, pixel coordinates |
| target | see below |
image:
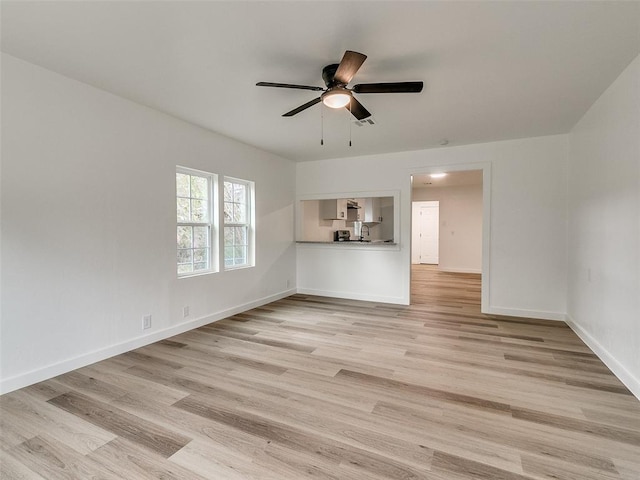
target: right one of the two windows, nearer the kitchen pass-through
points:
(238, 223)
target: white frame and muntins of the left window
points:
(211, 223)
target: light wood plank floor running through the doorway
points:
(311, 387)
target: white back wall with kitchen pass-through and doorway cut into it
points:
(526, 258)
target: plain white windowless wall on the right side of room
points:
(604, 228)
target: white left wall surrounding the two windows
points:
(88, 225)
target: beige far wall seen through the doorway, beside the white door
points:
(460, 243)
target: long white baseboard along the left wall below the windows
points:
(23, 380)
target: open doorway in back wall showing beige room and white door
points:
(448, 232)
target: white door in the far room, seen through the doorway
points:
(426, 221)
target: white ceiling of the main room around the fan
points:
(492, 70)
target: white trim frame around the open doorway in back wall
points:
(486, 219)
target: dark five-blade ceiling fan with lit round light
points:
(337, 94)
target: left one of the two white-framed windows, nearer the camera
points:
(195, 221)
